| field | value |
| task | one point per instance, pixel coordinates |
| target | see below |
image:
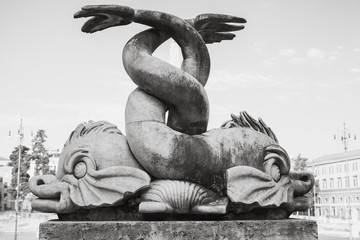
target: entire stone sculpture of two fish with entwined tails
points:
(174, 165)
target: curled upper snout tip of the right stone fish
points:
(302, 182)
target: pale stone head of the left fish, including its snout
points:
(96, 168)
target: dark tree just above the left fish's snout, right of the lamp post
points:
(39, 153)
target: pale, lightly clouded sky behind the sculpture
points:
(296, 65)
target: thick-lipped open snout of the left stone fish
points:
(54, 196)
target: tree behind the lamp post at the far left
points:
(24, 167)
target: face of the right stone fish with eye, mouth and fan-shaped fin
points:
(276, 187)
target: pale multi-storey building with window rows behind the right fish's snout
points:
(339, 187)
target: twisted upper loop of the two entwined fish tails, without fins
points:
(182, 90)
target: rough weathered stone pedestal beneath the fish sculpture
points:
(179, 230)
